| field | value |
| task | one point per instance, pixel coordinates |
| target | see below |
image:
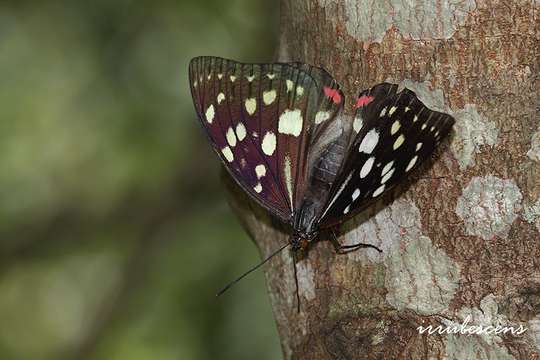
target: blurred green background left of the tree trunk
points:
(114, 229)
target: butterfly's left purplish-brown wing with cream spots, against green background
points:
(259, 119)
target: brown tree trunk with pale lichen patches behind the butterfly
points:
(461, 237)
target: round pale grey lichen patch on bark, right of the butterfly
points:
(488, 206)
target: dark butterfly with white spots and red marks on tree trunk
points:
(282, 134)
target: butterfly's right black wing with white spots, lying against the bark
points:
(396, 132)
